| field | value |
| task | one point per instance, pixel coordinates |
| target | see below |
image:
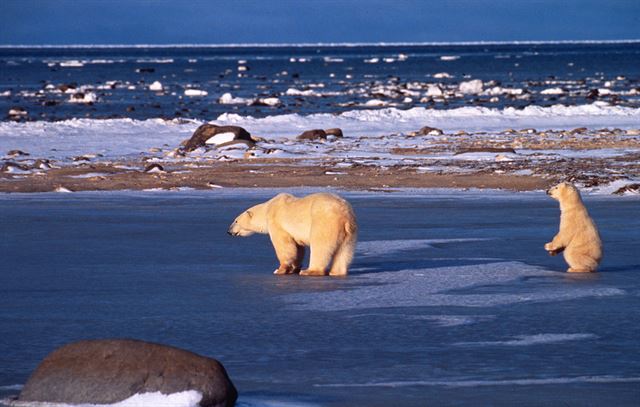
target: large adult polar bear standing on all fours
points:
(323, 221)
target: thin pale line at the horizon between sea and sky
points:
(325, 44)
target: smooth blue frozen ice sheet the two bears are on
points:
(197, 288)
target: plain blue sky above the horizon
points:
(288, 21)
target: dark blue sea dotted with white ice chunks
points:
(202, 82)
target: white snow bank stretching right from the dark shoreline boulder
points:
(392, 120)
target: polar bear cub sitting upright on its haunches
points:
(578, 236)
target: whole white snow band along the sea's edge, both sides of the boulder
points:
(120, 137)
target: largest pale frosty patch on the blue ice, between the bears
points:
(444, 286)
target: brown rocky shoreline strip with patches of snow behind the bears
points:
(229, 156)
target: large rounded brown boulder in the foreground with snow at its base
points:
(111, 370)
